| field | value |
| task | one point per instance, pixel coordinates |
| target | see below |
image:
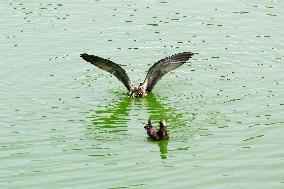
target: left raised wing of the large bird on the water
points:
(110, 67)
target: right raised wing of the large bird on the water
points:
(159, 69)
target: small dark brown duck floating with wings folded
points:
(157, 134)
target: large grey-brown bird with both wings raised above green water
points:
(154, 74)
